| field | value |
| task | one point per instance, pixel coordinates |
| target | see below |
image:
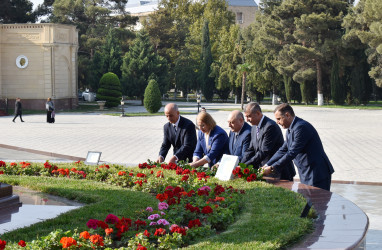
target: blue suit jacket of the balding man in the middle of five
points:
(241, 143)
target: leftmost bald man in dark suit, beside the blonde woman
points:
(178, 132)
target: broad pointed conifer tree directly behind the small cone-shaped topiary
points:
(140, 65)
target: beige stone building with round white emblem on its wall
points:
(38, 61)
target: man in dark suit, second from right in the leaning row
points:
(266, 139)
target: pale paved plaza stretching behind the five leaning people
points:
(352, 139)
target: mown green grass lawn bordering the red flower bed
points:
(269, 216)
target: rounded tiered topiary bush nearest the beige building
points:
(109, 90)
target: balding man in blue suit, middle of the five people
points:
(240, 134)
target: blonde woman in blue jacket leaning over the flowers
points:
(212, 141)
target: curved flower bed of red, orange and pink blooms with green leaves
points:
(190, 205)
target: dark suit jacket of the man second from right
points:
(265, 146)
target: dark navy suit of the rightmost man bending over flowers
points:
(304, 147)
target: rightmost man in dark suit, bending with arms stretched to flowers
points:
(303, 145)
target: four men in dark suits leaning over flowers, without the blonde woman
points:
(261, 145)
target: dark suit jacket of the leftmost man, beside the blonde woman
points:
(183, 141)
